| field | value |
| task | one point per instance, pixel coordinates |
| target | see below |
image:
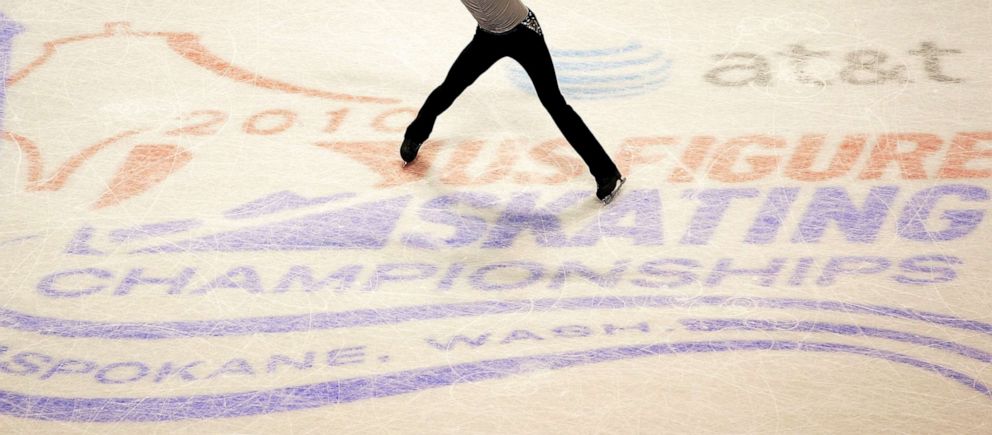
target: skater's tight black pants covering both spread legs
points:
(527, 48)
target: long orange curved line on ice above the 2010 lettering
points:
(188, 46)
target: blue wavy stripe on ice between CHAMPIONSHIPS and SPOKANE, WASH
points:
(386, 316)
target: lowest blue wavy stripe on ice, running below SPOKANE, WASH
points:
(132, 409)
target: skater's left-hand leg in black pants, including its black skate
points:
(475, 59)
